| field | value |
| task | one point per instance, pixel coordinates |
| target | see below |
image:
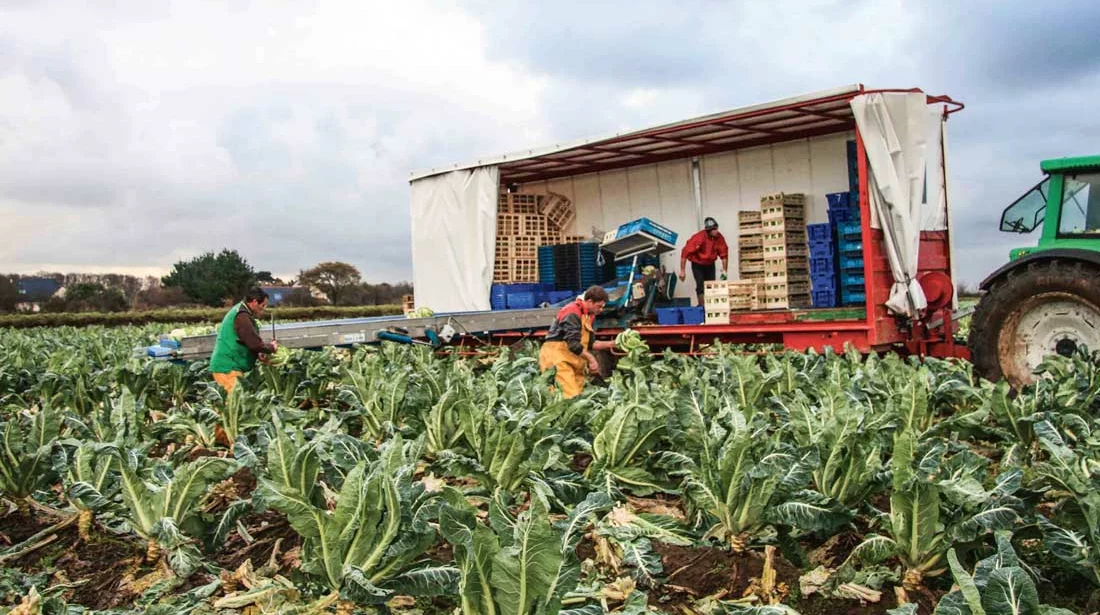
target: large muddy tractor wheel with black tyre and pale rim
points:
(1039, 310)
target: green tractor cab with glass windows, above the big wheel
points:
(1066, 204)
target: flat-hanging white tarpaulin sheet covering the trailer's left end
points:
(454, 239)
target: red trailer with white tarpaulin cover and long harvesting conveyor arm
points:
(678, 173)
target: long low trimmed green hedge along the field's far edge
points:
(181, 316)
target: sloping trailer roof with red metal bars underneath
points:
(791, 119)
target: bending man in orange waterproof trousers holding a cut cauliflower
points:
(570, 344)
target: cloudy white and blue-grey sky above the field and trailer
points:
(138, 134)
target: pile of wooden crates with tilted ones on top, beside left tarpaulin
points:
(524, 224)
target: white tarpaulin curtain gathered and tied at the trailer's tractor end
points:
(903, 139)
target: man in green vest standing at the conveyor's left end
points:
(239, 344)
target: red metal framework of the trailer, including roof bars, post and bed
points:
(879, 331)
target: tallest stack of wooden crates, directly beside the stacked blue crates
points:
(786, 263)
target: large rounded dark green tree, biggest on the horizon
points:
(213, 279)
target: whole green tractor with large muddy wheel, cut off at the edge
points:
(1047, 300)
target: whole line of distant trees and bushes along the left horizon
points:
(211, 280)
